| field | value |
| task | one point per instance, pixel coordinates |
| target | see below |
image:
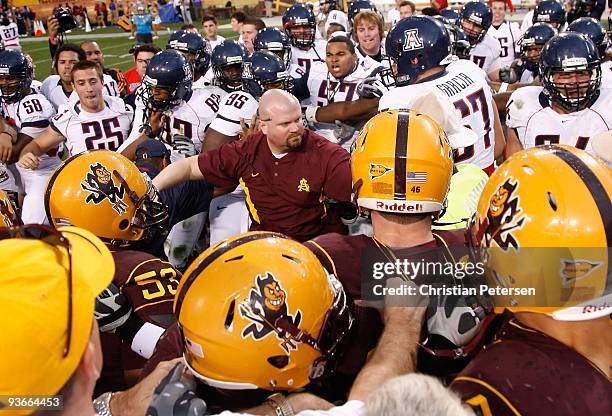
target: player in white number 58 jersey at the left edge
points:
(30, 113)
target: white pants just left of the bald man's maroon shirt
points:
(228, 215)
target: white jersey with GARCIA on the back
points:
(466, 87)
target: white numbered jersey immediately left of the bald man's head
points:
(235, 106)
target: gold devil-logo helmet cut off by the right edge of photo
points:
(545, 219)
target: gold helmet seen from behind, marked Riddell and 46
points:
(402, 163)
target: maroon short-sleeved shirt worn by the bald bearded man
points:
(284, 195)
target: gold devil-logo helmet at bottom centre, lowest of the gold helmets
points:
(259, 311)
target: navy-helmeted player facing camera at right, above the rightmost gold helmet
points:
(570, 107)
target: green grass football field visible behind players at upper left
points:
(115, 48)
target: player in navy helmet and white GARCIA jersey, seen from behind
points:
(420, 52)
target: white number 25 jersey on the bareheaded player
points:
(106, 129)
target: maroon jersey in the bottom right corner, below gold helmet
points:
(524, 372)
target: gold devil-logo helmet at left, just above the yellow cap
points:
(105, 193)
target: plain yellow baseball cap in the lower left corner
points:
(35, 299)
